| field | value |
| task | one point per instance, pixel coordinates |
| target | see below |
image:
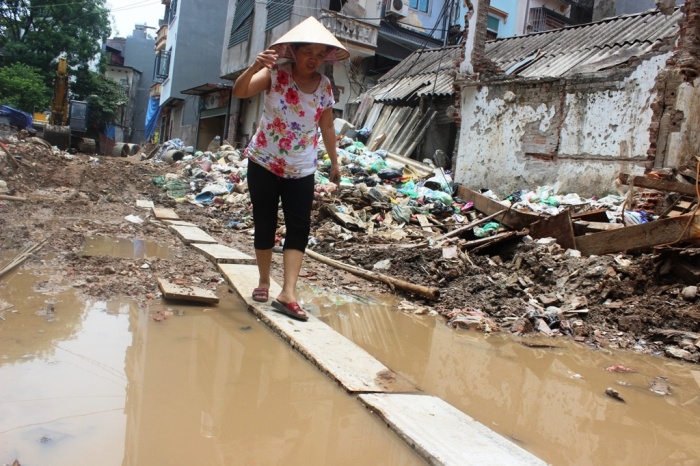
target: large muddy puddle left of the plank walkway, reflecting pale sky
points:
(104, 382)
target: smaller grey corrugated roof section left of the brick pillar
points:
(424, 72)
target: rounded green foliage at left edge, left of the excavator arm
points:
(23, 88)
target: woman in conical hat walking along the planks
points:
(282, 156)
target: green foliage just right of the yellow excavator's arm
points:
(103, 94)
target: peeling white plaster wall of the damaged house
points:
(580, 131)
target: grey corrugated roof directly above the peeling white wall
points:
(585, 48)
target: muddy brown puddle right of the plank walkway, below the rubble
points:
(551, 402)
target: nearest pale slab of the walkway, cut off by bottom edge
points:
(442, 434)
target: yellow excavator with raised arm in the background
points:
(68, 119)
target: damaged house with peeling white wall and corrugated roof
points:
(576, 105)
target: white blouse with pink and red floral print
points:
(287, 135)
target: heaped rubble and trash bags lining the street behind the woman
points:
(528, 263)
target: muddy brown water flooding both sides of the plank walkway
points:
(104, 382)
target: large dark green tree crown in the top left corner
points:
(36, 32)
